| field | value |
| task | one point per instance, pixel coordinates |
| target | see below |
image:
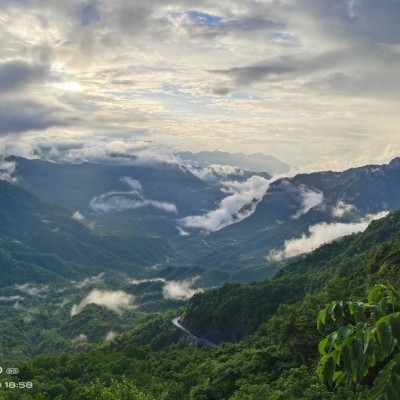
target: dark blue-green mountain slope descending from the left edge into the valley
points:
(41, 242)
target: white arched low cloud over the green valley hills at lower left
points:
(116, 301)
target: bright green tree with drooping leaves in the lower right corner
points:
(366, 345)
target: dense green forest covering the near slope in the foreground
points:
(267, 334)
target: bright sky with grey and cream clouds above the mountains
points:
(315, 83)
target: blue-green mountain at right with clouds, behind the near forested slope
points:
(318, 206)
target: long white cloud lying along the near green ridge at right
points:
(320, 234)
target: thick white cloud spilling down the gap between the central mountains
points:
(241, 203)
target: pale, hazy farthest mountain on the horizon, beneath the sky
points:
(257, 162)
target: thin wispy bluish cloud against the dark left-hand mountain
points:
(128, 200)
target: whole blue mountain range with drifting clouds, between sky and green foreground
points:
(131, 217)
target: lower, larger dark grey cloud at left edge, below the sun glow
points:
(27, 115)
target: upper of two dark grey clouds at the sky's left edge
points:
(16, 74)
